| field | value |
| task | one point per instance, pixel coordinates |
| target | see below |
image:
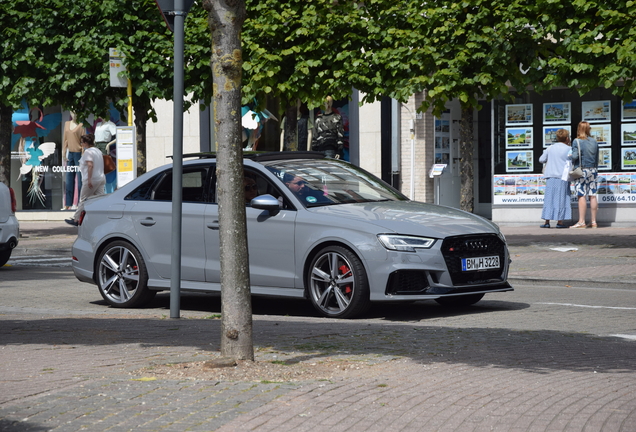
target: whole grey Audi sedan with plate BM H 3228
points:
(318, 228)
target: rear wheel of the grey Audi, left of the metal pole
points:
(122, 277)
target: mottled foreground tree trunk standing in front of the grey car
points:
(225, 19)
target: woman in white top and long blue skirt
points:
(556, 202)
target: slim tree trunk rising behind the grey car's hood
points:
(467, 193)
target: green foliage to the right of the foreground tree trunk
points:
(465, 50)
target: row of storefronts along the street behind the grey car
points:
(401, 146)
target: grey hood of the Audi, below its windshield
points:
(412, 218)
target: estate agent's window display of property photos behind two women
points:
(518, 146)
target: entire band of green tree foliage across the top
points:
(56, 52)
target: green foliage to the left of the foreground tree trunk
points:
(56, 52)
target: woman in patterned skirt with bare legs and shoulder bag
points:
(585, 156)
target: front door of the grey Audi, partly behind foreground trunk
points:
(270, 240)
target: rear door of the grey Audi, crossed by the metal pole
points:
(153, 224)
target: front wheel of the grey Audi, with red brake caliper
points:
(337, 283)
